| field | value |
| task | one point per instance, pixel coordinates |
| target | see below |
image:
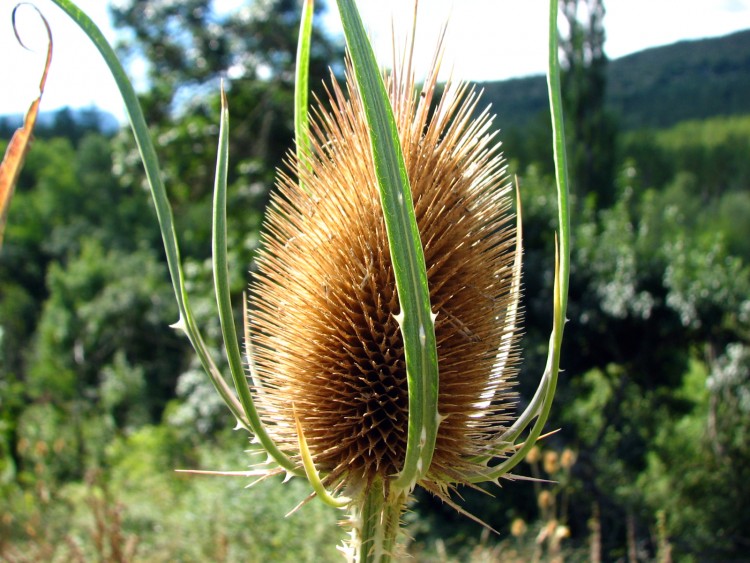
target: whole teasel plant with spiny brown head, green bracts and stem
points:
(429, 430)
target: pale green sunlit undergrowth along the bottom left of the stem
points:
(140, 505)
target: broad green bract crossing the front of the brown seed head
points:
(415, 317)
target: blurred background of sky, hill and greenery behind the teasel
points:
(100, 400)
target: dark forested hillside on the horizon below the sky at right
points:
(658, 87)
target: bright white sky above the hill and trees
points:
(486, 40)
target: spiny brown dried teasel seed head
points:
(324, 298)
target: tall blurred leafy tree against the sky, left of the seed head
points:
(189, 47)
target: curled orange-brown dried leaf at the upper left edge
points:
(20, 144)
